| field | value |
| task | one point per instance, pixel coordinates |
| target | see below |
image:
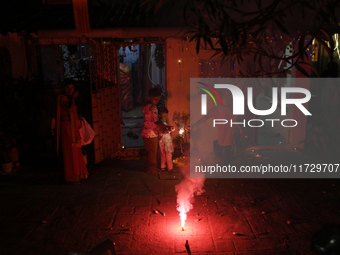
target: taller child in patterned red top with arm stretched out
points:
(151, 128)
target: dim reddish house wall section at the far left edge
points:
(16, 46)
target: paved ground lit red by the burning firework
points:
(39, 214)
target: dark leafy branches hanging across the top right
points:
(260, 28)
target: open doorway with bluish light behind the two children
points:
(142, 66)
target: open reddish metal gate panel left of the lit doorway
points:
(105, 97)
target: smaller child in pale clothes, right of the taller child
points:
(165, 143)
